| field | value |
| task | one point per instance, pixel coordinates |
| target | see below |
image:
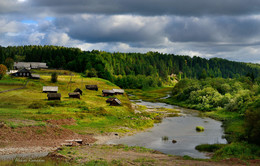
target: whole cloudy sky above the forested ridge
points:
(227, 29)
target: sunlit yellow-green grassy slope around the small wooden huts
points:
(91, 112)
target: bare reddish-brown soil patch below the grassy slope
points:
(31, 137)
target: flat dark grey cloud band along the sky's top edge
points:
(151, 7)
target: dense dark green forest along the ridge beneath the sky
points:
(130, 70)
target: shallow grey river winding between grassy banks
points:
(180, 129)
